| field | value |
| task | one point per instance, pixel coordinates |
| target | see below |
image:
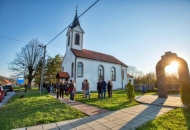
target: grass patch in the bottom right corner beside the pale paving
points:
(177, 119)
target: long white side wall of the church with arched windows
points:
(90, 72)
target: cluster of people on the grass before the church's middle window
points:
(101, 88)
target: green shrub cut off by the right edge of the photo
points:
(185, 91)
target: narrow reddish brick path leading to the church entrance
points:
(86, 109)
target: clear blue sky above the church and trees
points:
(134, 31)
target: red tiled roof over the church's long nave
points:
(96, 56)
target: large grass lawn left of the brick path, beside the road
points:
(34, 109)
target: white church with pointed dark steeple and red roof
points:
(80, 63)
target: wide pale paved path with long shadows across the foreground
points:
(125, 119)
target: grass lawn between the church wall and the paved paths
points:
(117, 102)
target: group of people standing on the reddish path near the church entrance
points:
(66, 88)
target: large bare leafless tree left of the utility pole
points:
(27, 60)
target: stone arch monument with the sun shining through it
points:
(167, 59)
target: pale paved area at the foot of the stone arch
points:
(171, 101)
